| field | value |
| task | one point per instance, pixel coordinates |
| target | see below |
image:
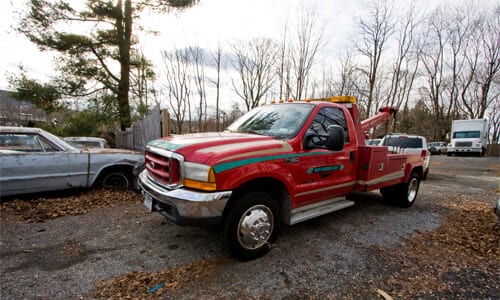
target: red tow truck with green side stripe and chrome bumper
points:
(279, 163)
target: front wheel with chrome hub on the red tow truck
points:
(251, 226)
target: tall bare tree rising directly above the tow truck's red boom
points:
(376, 29)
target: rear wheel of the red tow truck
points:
(403, 194)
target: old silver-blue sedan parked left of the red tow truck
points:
(33, 160)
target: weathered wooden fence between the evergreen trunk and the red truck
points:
(155, 125)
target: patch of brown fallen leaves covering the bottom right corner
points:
(458, 260)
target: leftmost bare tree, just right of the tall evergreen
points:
(177, 86)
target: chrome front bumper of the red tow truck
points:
(182, 206)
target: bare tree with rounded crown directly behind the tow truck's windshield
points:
(255, 61)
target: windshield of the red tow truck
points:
(281, 121)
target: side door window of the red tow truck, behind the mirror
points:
(329, 116)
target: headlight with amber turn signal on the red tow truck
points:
(199, 176)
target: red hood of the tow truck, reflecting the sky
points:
(218, 147)
